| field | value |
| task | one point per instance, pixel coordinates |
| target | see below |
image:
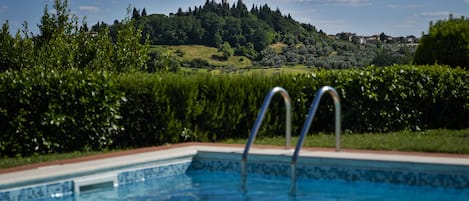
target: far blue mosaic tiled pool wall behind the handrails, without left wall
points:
(348, 170)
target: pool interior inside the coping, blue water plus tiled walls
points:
(214, 176)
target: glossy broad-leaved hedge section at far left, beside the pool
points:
(50, 111)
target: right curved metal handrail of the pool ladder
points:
(307, 125)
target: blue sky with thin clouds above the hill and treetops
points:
(364, 17)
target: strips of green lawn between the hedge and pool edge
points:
(434, 141)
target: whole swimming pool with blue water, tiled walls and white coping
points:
(213, 173)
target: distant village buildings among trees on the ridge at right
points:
(374, 39)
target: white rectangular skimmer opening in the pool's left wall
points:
(95, 182)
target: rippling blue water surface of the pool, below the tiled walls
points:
(217, 185)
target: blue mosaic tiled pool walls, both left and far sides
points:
(311, 168)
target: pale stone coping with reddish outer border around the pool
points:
(66, 167)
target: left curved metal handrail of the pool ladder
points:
(257, 124)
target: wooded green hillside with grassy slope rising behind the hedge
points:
(266, 36)
